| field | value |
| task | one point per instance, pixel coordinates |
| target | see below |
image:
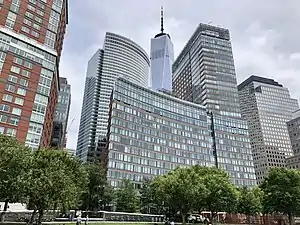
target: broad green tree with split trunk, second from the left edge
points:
(56, 181)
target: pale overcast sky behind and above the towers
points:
(265, 35)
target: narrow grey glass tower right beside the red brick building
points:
(59, 131)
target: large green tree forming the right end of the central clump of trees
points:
(223, 195)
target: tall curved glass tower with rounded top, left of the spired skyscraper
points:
(120, 57)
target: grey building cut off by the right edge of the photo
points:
(294, 132)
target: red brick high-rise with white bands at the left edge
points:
(31, 40)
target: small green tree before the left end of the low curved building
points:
(127, 198)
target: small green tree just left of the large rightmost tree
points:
(249, 201)
